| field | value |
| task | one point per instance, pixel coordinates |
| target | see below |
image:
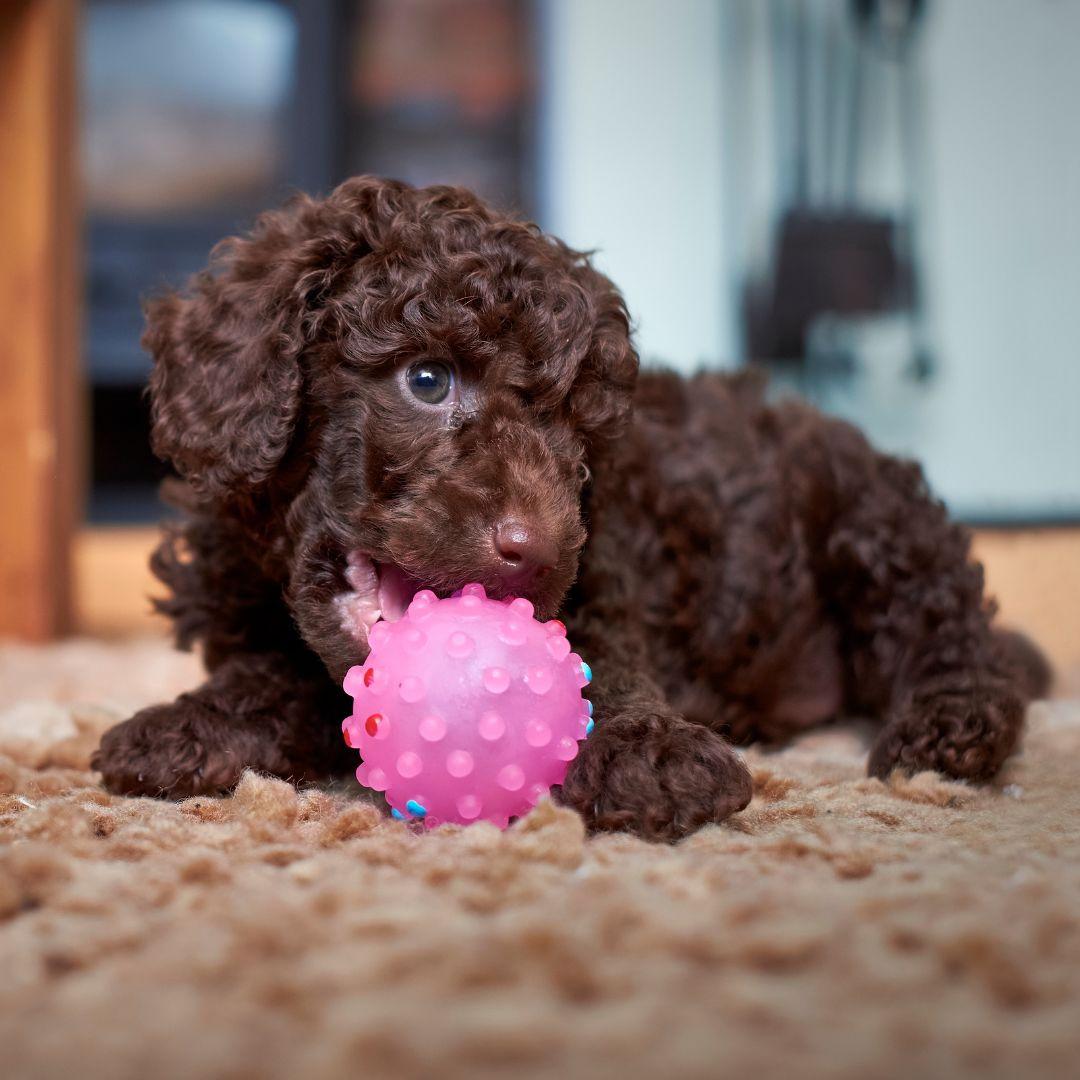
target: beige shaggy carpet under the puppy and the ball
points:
(839, 928)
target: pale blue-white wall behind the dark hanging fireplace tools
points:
(663, 152)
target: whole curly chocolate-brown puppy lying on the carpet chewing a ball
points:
(735, 571)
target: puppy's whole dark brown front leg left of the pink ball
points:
(256, 711)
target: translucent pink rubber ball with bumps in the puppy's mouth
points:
(467, 709)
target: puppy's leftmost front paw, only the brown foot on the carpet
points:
(159, 752)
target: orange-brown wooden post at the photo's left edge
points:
(40, 385)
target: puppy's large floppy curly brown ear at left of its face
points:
(226, 386)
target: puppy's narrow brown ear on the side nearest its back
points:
(603, 395)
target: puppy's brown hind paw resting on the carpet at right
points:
(964, 735)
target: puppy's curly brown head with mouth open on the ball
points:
(394, 388)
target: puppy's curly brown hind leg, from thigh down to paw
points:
(916, 625)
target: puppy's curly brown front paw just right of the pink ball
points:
(656, 776)
